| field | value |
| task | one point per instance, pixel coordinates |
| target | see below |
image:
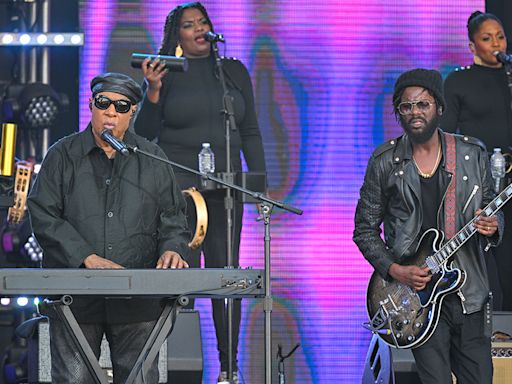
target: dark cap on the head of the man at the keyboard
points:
(117, 83)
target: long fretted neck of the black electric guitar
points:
(460, 238)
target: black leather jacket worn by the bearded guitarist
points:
(391, 195)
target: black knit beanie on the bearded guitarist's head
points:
(425, 78)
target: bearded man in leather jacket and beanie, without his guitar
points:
(409, 187)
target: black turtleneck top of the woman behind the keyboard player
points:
(189, 113)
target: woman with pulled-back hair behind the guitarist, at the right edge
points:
(479, 105)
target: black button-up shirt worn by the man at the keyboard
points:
(129, 210)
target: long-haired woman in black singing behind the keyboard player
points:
(183, 110)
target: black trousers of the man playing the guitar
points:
(461, 343)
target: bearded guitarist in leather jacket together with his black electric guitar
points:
(432, 191)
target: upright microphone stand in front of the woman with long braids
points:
(228, 112)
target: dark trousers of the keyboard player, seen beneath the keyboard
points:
(125, 342)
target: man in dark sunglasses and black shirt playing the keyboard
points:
(90, 207)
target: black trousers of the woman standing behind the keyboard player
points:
(215, 252)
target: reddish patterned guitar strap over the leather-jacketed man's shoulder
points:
(450, 201)
